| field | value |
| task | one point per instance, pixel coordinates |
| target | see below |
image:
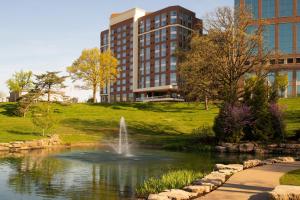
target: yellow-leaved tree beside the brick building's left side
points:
(94, 68)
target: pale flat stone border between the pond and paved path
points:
(214, 180)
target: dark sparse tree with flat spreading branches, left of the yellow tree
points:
(49, 82)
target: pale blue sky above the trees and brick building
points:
(48, 35)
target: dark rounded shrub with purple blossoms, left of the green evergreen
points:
(230, 123)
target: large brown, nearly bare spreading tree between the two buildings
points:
(229, 52)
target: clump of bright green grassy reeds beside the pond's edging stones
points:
(170, 180)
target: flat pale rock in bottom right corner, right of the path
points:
(286, 192)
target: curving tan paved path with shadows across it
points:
(252, 183)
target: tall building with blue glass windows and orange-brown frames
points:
(281, 24)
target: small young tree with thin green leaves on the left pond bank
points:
(42, 117)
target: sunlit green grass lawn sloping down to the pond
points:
(152, 123)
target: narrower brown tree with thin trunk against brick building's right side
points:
(195, 82)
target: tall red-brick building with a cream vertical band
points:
(145, 43)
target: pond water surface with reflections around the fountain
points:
(92, 173)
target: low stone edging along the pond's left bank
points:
(16, 146)
